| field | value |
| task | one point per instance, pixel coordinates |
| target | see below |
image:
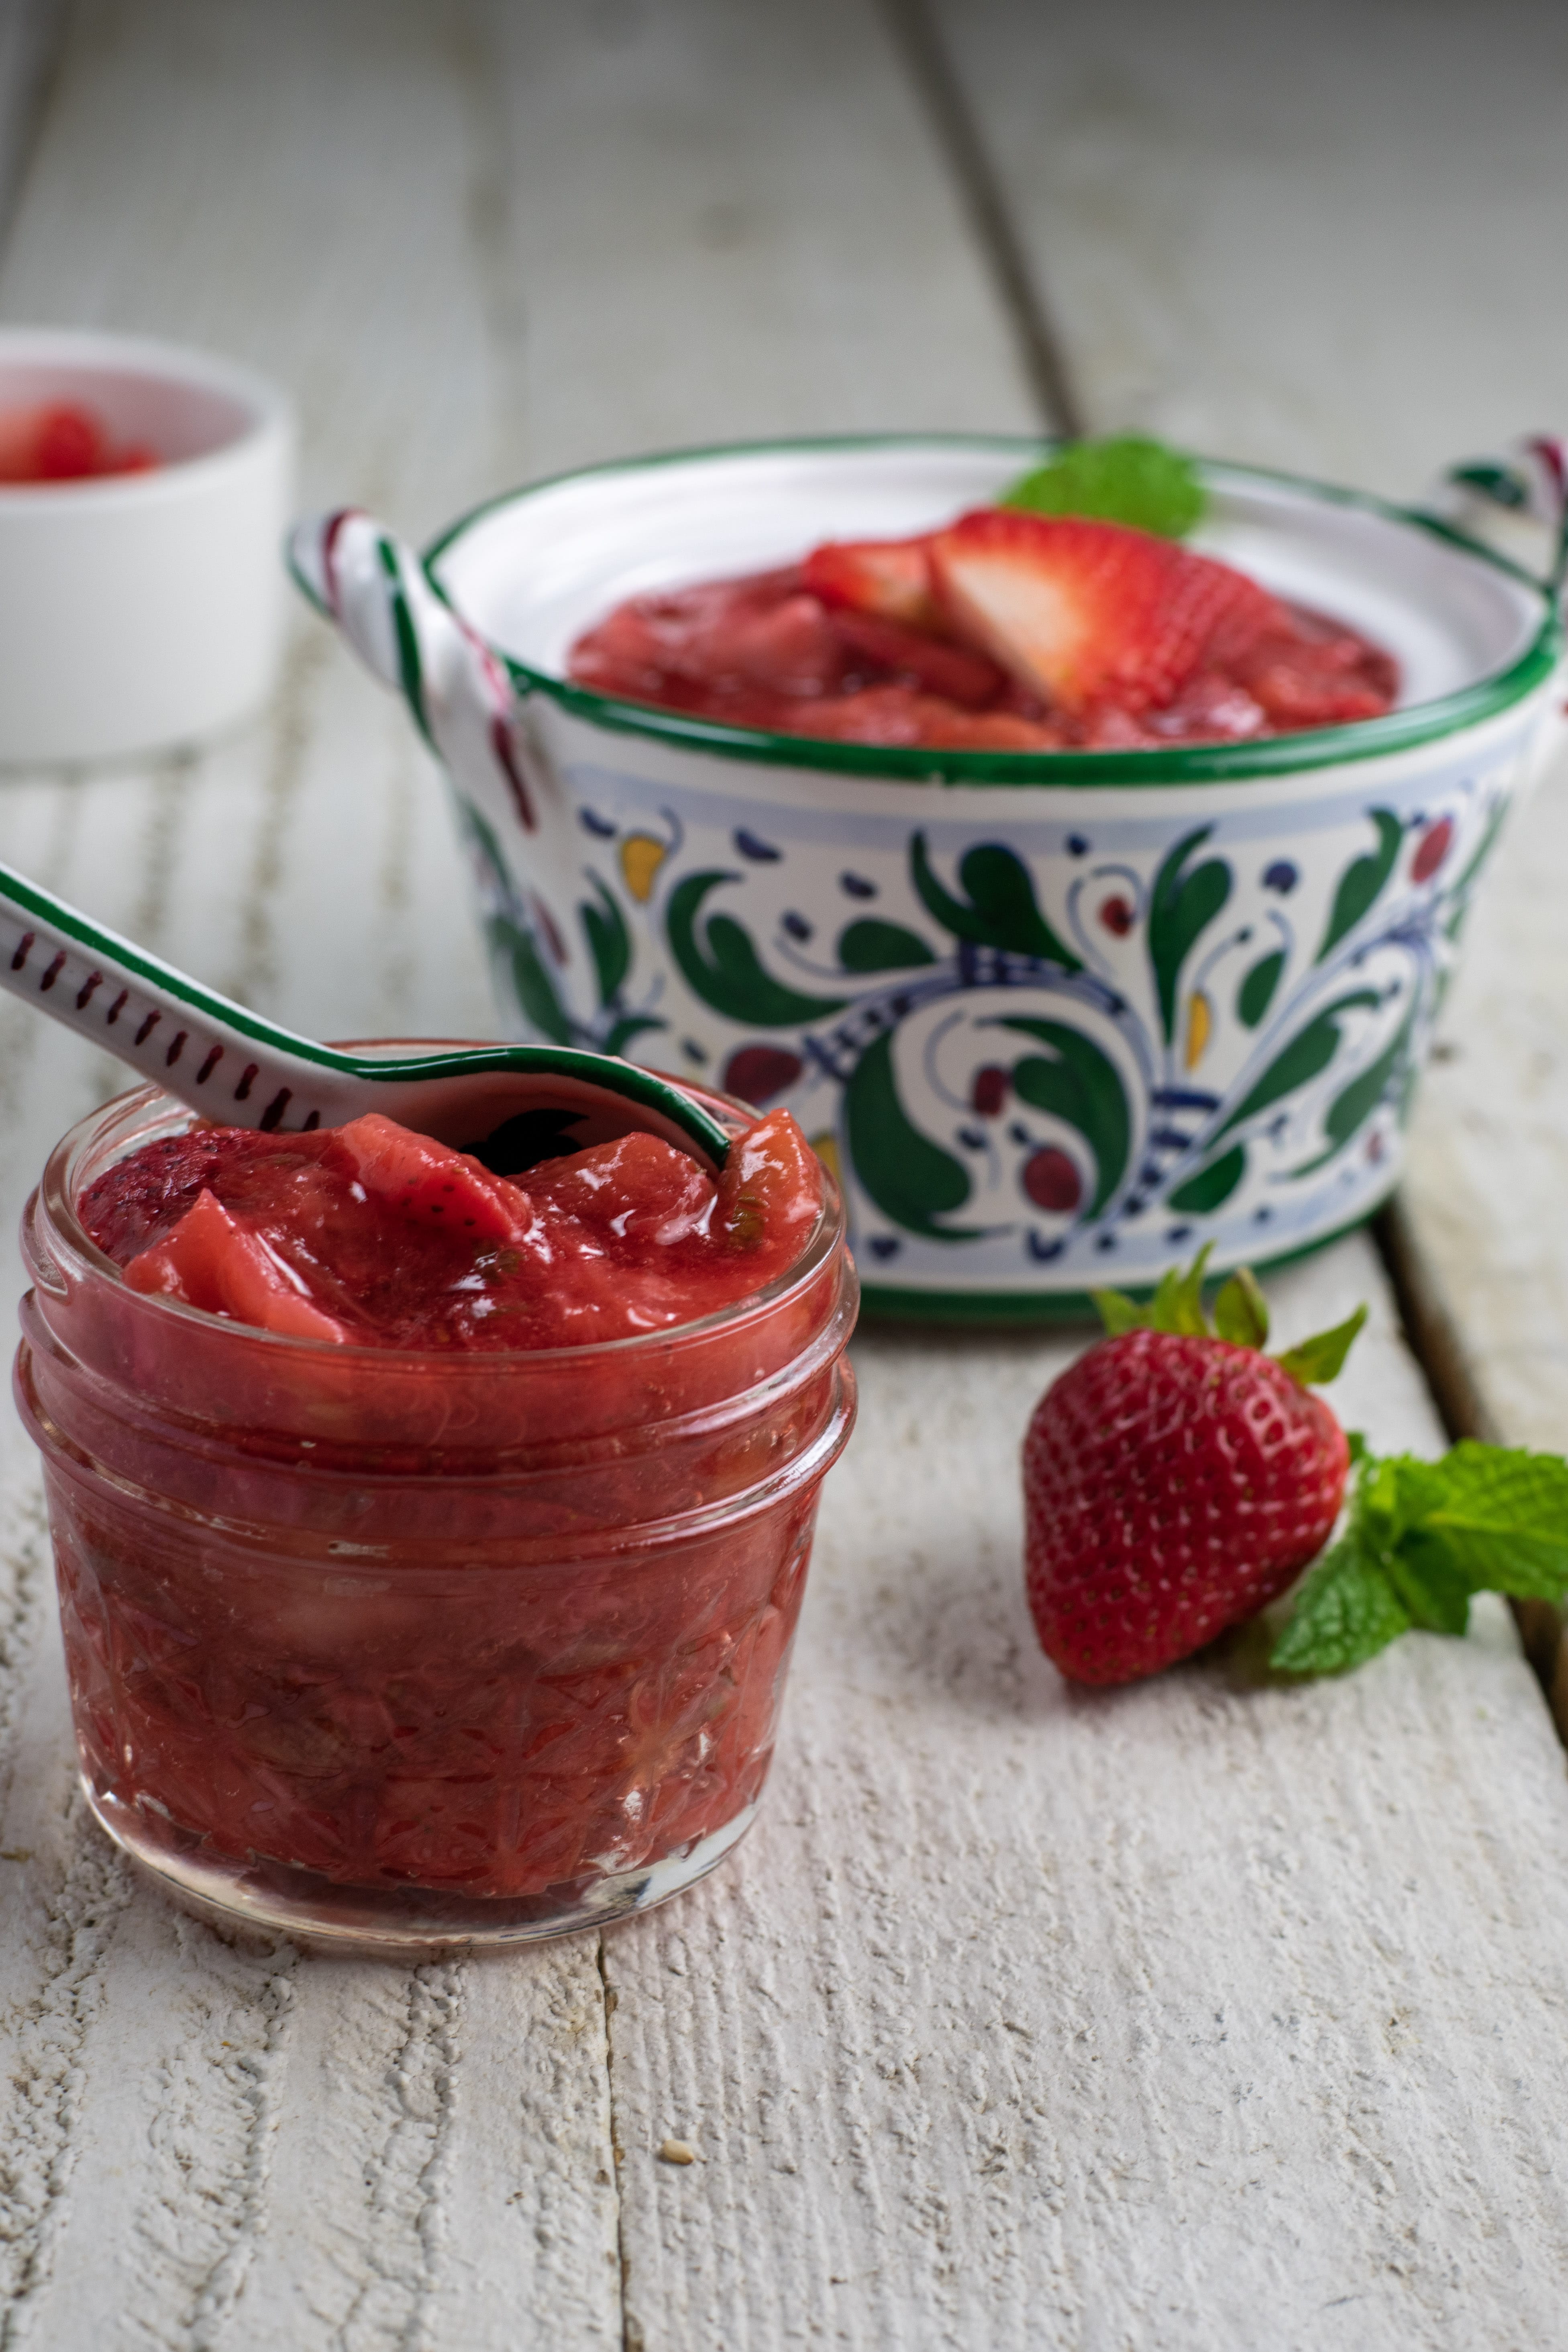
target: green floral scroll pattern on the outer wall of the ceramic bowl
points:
(1026, 1064)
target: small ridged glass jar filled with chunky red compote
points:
(429, 1542)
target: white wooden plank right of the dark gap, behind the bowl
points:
(1336, 243)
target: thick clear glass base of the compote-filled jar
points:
(401, 1923)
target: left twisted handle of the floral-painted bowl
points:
(375, 589)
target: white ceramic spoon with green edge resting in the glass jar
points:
(516, 1102)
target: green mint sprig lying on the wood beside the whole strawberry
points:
(1421, 1542)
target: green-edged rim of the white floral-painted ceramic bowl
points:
(1207, 763)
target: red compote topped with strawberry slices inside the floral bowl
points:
(1005, 632)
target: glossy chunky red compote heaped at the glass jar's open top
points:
(382, 1238)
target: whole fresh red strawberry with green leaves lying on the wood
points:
(1177, 1481)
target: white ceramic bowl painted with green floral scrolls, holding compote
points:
(1054, 1017)
